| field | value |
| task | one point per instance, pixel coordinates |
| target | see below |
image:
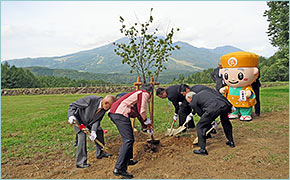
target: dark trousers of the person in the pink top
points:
(125, 129)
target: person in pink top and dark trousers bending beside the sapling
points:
(129, 105)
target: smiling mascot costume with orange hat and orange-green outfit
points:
(239, 70)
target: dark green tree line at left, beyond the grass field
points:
(13, 77)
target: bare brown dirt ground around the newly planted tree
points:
(261, 152)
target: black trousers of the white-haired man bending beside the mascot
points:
(208, 117)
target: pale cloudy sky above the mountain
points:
(56, 28)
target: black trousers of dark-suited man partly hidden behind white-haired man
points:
(183, 112)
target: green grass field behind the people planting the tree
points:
(32, 125)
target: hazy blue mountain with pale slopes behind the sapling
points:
(104, 60)
